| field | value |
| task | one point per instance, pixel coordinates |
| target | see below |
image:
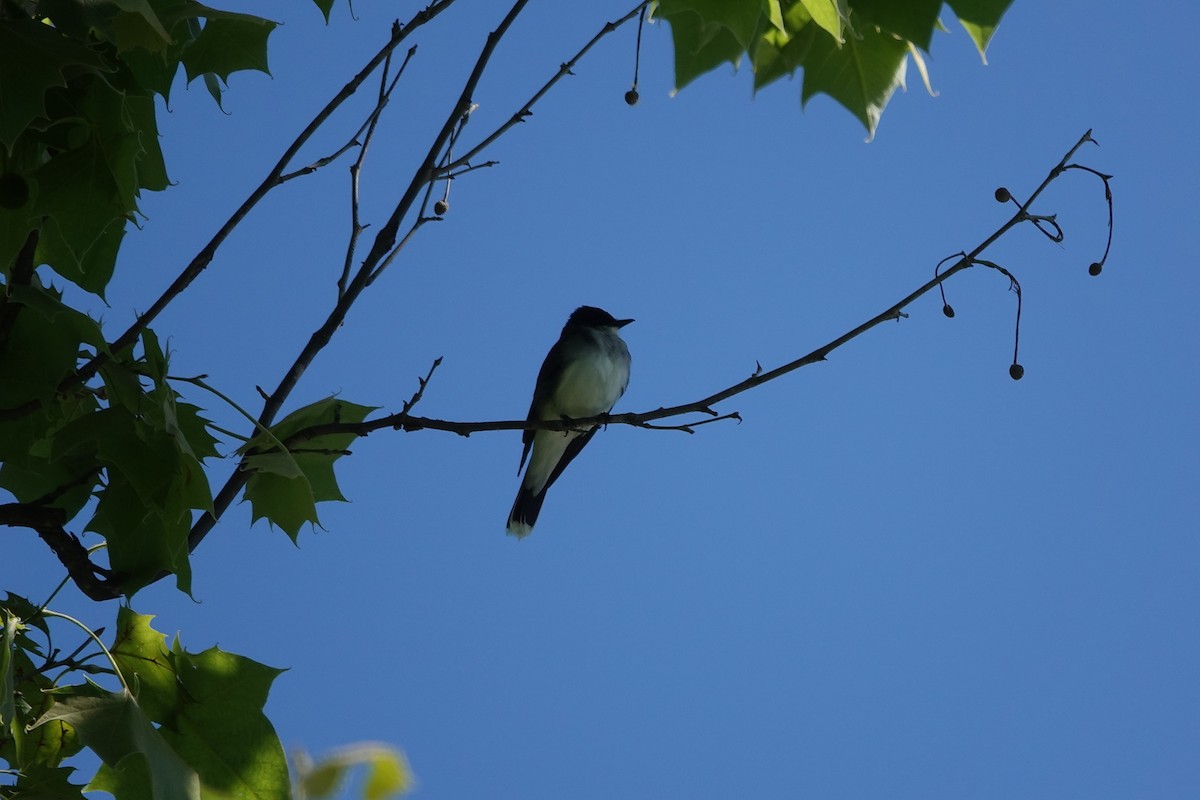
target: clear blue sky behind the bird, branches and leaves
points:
(903, 575)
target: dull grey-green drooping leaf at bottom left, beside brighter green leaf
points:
(116, 729)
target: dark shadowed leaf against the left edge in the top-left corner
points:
(34, 59)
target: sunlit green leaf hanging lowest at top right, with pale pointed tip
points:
(861, 75)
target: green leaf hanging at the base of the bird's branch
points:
(286, 488)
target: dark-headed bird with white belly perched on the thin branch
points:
(584, 375)
